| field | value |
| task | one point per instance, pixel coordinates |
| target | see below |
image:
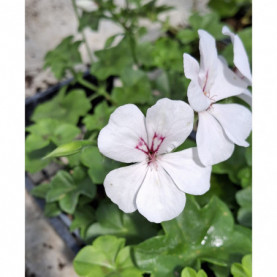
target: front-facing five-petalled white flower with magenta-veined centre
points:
(156, 183)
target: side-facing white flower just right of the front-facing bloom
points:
(220, 125)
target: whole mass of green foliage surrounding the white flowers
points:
(213, 233)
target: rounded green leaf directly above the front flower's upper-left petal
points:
(136, 88)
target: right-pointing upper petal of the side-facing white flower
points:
(226, 83)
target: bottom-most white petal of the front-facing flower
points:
(158, 198)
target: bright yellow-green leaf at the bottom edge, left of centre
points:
(107, 256)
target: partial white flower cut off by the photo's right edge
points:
(242, 63)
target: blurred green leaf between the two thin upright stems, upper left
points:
(112, 61)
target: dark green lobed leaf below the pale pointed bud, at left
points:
(67, 188)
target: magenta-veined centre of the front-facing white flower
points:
(152, 149)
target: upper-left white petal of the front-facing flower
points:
(118, 140)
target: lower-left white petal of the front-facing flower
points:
(122, 184)
